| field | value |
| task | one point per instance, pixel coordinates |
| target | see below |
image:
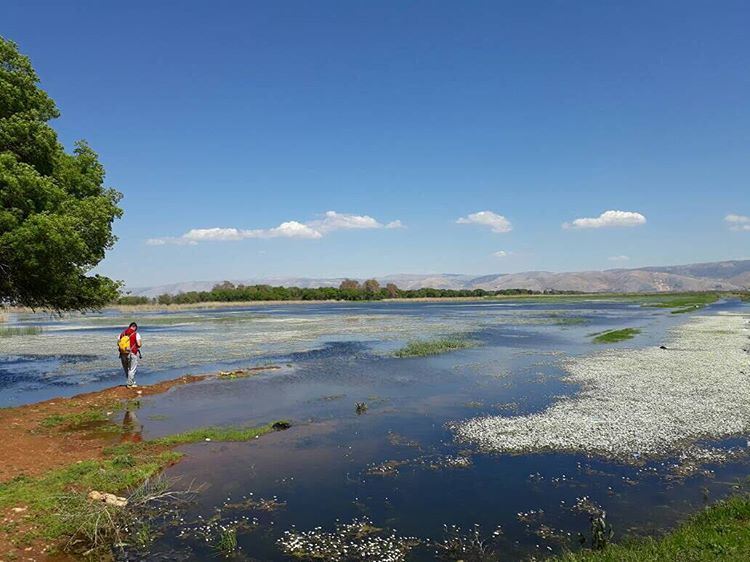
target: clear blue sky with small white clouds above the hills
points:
(258, 118)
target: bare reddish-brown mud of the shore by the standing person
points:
(41, 438)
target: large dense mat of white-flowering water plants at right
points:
(638, 403)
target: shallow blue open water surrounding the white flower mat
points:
(396, 463)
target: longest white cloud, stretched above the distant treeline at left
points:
(331, 222)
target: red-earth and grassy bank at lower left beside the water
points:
(67, 448)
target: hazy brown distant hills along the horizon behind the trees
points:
(725, 275)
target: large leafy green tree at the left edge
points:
(55, 213)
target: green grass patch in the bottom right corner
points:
(720, 532)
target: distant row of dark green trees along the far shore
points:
(349, 290)
